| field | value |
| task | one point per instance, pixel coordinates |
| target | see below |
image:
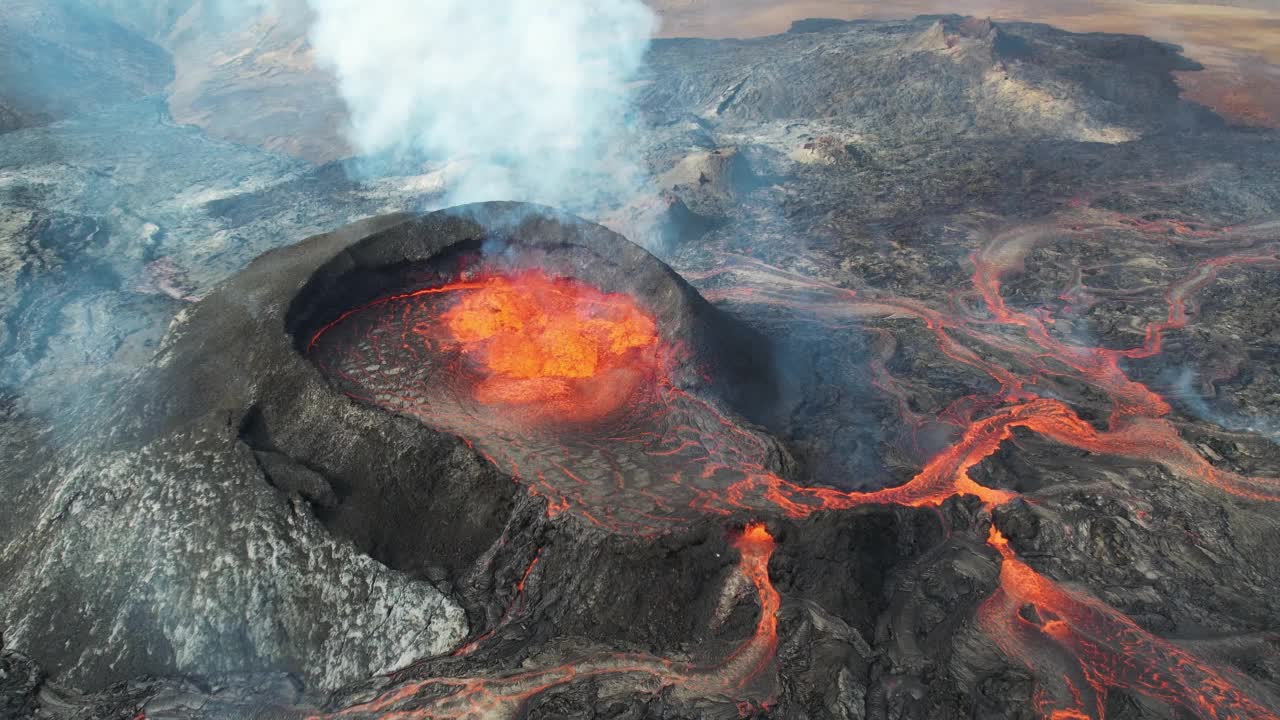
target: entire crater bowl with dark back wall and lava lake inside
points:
(572, 359)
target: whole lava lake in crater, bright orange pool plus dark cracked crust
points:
(565, 388)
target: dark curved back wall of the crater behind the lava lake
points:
(728, 357)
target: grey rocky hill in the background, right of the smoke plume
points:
(927, 79)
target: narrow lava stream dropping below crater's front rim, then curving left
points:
(504, 696)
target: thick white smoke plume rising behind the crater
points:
(529, 98)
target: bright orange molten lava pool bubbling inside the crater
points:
(554, 344)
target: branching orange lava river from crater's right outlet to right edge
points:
(1137, 427)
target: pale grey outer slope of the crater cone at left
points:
(156, 545)
